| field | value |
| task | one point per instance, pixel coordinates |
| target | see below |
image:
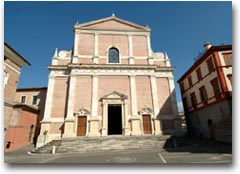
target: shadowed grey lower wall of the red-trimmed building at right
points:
(219, 113)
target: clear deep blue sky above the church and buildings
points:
(35, 29)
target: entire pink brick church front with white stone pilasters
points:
(110, 83)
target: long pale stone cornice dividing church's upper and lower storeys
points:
(109, 69)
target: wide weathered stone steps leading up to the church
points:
(86, 144)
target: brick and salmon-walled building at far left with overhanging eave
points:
(19, 119)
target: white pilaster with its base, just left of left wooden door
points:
(70, 120)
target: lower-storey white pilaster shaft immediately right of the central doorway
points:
(133, 95)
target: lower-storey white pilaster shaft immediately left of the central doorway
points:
(94, 105)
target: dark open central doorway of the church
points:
(114, 119)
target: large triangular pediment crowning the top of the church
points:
(111, 23)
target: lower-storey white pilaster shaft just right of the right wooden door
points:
(154, 95)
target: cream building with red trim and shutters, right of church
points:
(206, 89)
